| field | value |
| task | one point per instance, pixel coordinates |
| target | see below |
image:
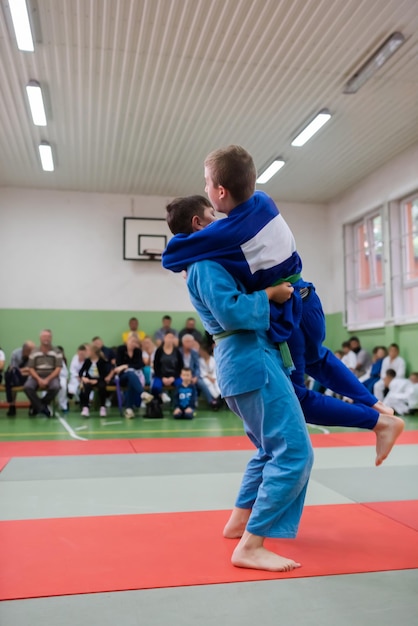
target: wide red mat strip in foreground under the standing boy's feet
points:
(98, 554)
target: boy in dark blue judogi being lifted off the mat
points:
(256, 246)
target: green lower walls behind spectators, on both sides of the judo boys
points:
(71, 328)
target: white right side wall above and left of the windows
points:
(393, 181)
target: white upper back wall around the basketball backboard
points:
(63, 250)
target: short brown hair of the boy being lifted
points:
(233, 168)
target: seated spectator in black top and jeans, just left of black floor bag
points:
(129, 368)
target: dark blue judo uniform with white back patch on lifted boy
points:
(257, 247)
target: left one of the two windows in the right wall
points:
(364, 262)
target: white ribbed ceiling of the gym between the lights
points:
(139, 91)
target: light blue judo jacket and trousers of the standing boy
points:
(257, 388)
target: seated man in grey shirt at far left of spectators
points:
(44, 366)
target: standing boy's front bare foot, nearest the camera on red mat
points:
(251, 554)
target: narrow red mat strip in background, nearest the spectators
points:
(182, 444)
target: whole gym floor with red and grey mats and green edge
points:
(94, 489)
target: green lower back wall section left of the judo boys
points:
(70, 328)
